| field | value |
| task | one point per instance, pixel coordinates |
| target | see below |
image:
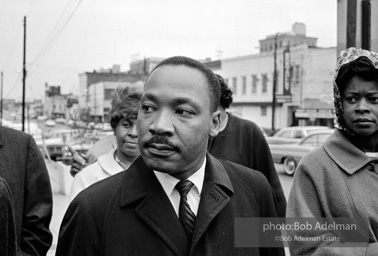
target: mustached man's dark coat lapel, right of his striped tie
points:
(213, 197)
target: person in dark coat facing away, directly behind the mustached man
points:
(241, 141)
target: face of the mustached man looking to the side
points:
(174, 120)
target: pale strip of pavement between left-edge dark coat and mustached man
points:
(61, 180)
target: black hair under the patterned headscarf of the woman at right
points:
(361, 67)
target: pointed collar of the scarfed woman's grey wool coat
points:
(347, 156)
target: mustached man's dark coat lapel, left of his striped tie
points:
(155, 209)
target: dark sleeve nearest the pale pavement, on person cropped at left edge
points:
(36, 237)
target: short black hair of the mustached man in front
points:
(212, 80)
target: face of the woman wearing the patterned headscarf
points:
(360, 104)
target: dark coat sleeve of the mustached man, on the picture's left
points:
(82, 226)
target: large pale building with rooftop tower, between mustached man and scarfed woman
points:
(304, 74)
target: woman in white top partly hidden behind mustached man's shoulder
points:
(123, 114)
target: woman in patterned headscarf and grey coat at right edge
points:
(340, 179)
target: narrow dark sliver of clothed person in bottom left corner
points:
(8, 238)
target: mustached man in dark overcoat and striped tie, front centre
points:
(140, 211)
